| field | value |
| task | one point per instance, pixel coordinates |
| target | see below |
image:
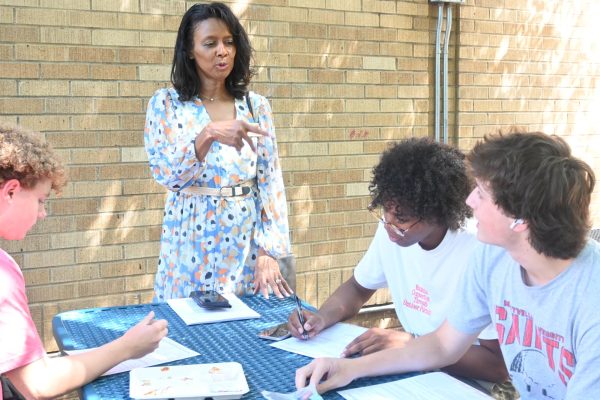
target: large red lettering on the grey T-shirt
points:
(516, 327)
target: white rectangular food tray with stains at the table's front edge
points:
(198, 381)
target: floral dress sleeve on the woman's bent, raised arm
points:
(169, 142)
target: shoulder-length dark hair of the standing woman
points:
(184, 77)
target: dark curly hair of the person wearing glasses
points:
(422, 179)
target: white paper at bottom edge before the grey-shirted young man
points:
(432, 386)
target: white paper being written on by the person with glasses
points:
(328, 343)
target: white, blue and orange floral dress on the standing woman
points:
(211, 242)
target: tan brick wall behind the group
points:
(344, 78)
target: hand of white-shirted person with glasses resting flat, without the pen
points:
(376, 339)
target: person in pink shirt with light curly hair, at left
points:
(29, 171)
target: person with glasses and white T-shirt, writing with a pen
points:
(419, 252)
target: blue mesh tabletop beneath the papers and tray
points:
(266, 367)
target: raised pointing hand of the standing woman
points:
(233, 133)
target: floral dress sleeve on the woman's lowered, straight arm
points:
(273, 230)
